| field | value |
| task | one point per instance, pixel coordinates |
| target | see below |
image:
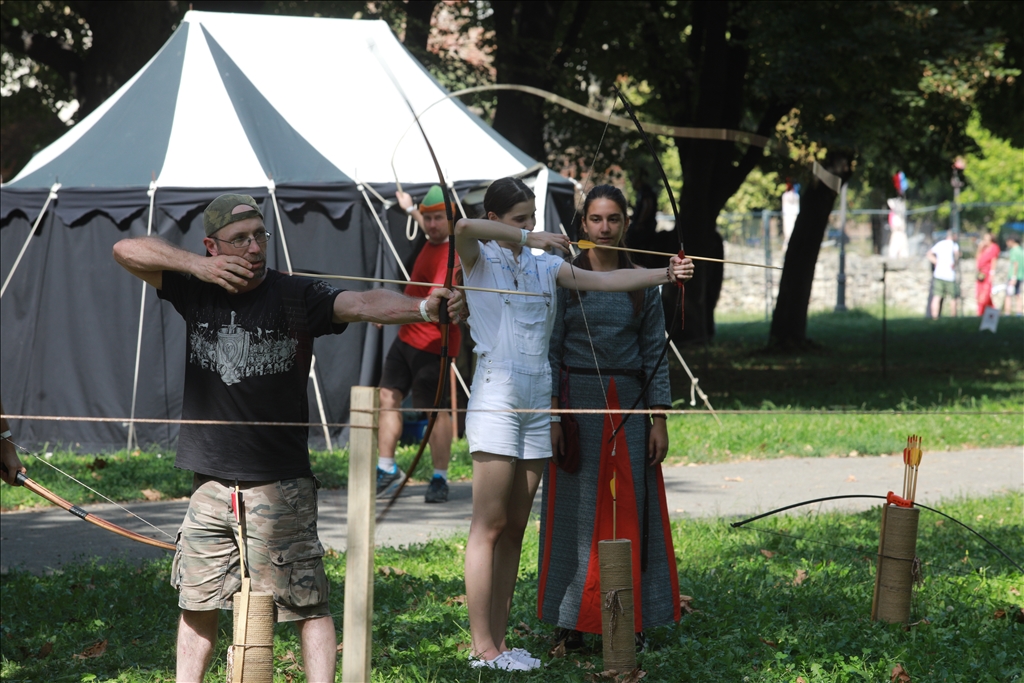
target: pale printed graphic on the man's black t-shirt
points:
(237, 354)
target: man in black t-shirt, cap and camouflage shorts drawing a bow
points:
(250, 344)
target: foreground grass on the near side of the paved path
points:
(754, 623)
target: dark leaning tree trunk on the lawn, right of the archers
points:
(789, 323)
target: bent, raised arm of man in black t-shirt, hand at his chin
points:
(148, 258)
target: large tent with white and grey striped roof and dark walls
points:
(300, 113)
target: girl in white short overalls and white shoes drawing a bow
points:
(510, 450)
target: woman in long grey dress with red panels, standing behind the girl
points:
(604, 348)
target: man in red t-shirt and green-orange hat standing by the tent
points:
(413, 364)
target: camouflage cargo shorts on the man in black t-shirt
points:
(284, 556)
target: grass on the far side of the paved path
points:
(944, 380)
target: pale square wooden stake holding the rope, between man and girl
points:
(360, 552)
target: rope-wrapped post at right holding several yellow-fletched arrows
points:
(895, 576)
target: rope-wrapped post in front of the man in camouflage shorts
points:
(255, 641)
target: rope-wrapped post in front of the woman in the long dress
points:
(616, 560)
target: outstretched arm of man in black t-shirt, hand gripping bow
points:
(387, 308)
